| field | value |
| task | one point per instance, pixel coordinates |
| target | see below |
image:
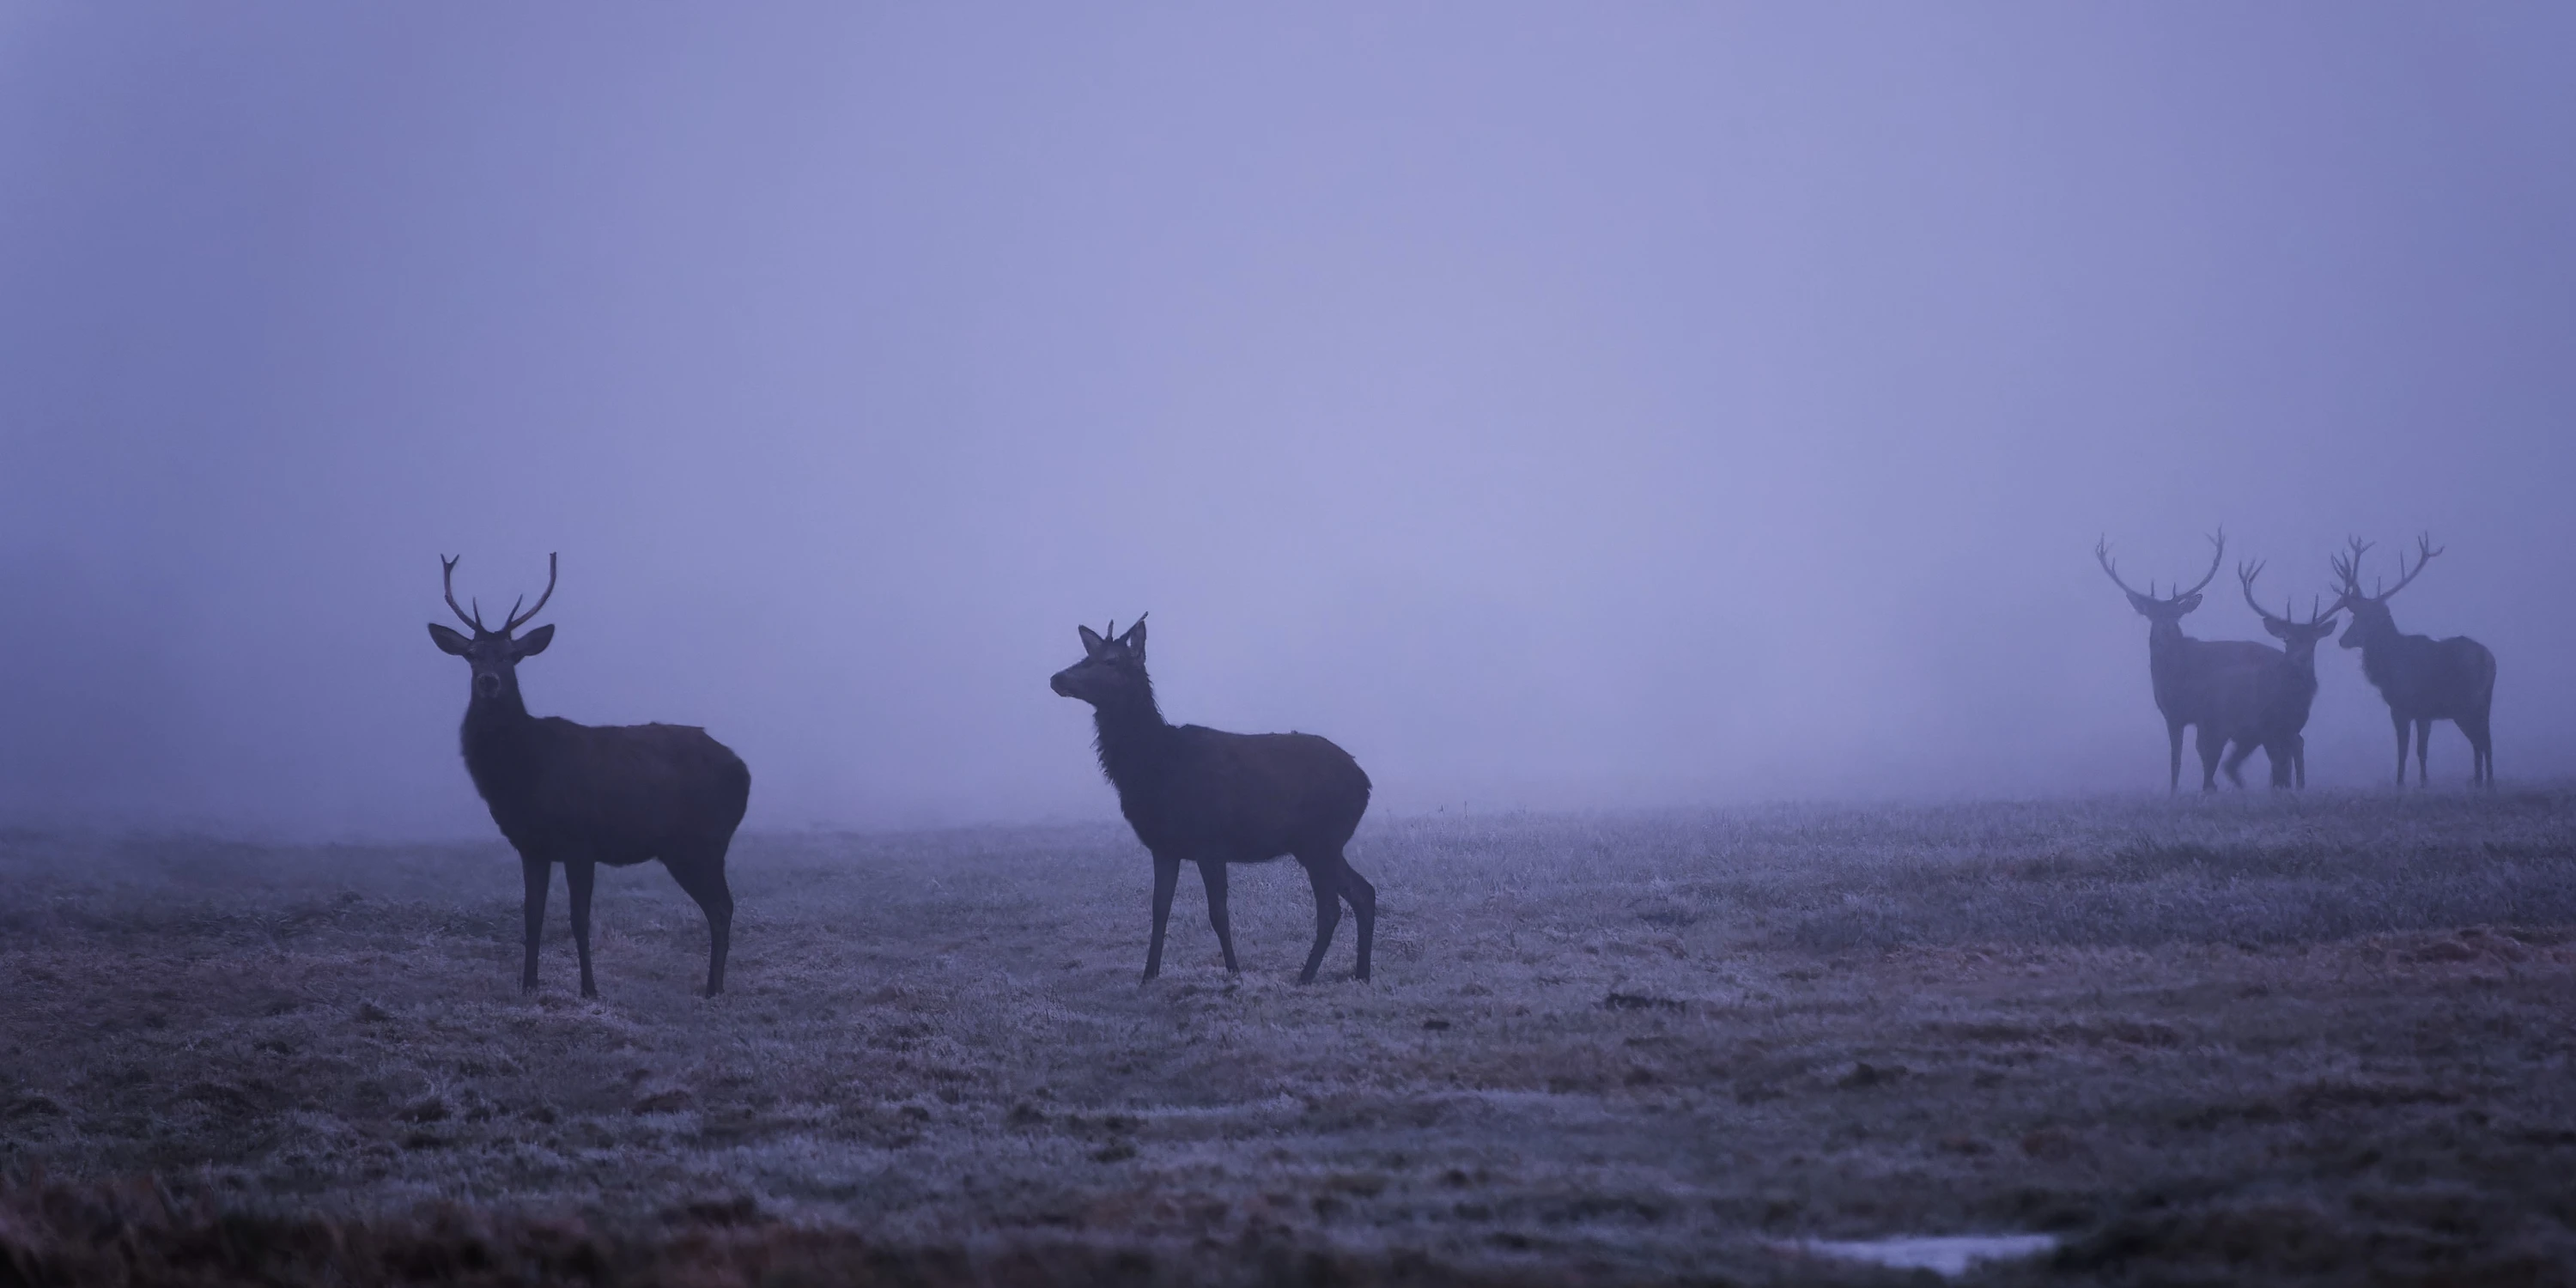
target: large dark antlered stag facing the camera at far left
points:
(581, 797)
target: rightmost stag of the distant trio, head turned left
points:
(2420, 676)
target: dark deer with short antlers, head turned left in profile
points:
(1209, 797)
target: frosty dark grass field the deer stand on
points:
(2209, 1042)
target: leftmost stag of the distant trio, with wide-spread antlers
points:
(2209, 684)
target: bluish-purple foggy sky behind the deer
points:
(1555, 406)
